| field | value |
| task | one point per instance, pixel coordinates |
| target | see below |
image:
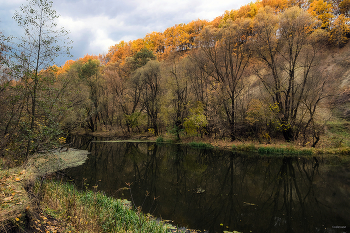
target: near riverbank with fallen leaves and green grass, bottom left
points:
(30, 205)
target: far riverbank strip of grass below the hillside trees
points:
(327, 145)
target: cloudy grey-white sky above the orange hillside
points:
(95, 25)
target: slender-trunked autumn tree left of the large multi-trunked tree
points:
(226, 55)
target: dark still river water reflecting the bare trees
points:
(216, 190)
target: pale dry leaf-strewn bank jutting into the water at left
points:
(14, 200)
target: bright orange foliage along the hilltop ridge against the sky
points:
(181, 37)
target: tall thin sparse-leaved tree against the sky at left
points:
(42, 43)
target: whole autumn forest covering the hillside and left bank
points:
(272, 69)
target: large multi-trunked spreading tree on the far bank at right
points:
(286, 46)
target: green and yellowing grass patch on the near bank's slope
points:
(89, 211)
